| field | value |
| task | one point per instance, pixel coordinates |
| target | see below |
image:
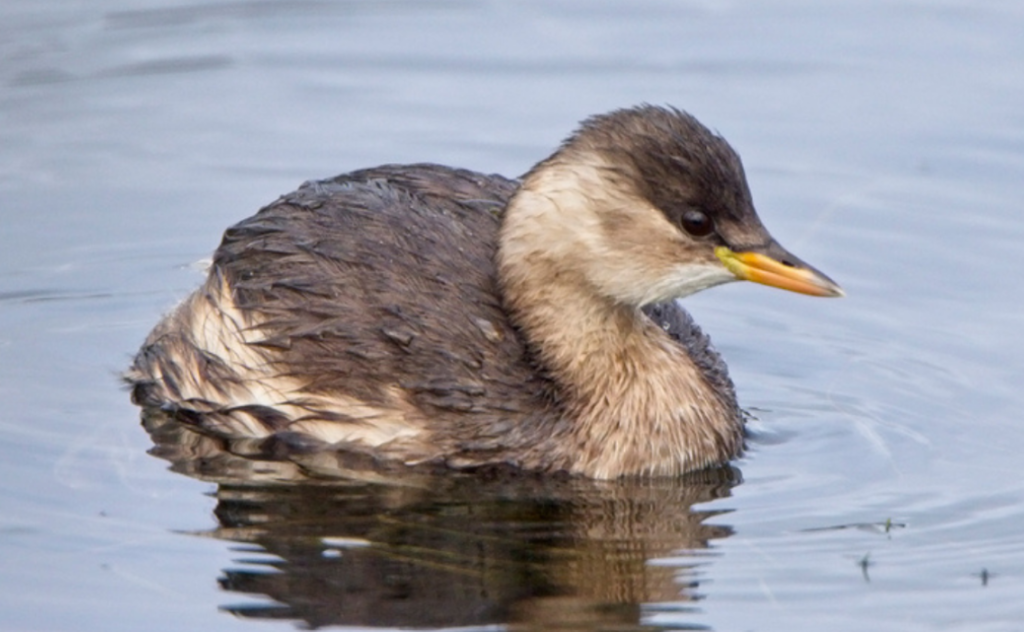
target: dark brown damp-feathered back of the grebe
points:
(381, 277)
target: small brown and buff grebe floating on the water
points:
(426, 315)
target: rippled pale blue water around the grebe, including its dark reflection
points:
(884, 143)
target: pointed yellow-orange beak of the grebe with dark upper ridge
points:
(766, 267)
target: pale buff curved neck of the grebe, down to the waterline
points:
(637, 403)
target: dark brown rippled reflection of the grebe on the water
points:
(334, 546)
